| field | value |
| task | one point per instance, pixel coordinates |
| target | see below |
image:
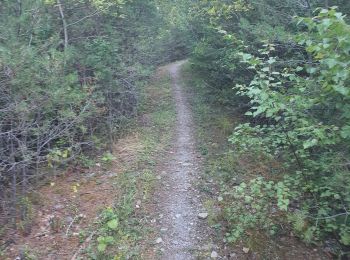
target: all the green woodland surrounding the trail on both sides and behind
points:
(70, 74)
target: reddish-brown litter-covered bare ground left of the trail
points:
(65, 211)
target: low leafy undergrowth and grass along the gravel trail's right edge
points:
(246, 199)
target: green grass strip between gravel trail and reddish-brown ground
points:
(137, 182)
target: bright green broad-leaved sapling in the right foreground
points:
(296, 105)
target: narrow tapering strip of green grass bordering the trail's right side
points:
(214, 124)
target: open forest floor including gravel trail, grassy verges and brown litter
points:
(156, 185)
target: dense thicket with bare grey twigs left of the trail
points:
(69, 72)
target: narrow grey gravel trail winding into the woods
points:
(178, 201)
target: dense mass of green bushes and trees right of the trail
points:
(291, 75)
